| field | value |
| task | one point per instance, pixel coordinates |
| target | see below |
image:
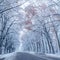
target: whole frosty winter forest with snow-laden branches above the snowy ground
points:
(30, 25)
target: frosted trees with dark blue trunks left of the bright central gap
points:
(9, 26)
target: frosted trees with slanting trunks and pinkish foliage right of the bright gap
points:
(43, 29)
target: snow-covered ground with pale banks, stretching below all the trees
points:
(29, 56)
